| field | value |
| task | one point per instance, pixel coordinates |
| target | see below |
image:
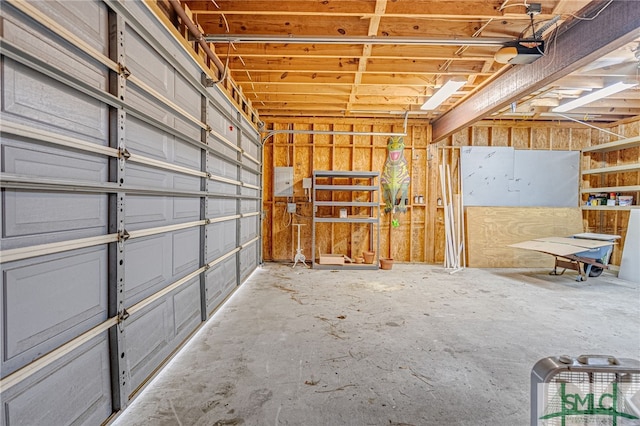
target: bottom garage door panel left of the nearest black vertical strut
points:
(44, 399)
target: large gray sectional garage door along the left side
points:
(130, 205)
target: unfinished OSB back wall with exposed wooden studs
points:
(420, 236)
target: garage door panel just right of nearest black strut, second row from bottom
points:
(147, 267)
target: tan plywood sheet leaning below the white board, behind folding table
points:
(490, 230)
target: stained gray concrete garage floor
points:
(411, 346)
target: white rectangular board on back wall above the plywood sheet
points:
(503, 176)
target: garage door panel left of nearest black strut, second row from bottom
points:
(47, 301)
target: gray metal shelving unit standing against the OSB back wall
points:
(369, 210)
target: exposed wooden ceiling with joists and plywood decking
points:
(384, 55)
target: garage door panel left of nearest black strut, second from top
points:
(55, 104)
